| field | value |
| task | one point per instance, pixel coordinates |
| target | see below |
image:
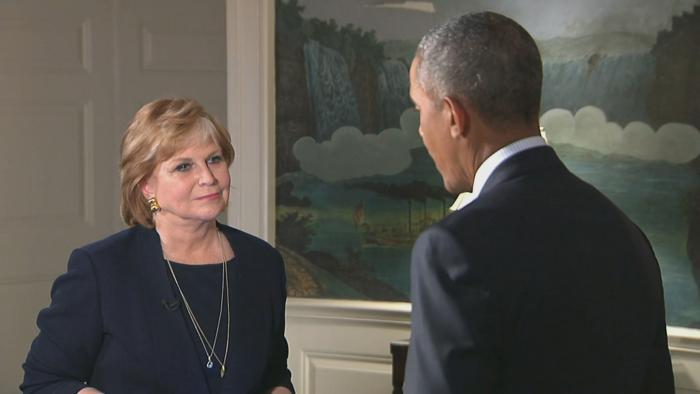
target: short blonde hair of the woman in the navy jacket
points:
(158, 131)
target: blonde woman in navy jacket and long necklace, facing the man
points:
(177, 303)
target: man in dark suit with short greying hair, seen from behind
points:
(539, 284)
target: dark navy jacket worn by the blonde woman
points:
(111, 322)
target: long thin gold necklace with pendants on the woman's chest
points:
(209, 348)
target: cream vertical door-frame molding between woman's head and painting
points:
(250, 113)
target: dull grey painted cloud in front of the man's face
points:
(351, 154)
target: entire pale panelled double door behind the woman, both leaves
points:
(72, 73)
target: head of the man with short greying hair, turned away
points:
(476, 80)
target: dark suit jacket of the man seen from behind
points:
(541, 285)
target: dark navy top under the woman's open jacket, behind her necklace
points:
(201, 285)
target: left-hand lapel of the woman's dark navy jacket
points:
(173, 354)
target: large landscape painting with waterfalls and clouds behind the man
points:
(355, 185)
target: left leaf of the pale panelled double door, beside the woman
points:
(56, 159)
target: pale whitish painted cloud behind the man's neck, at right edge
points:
(590, 129)
